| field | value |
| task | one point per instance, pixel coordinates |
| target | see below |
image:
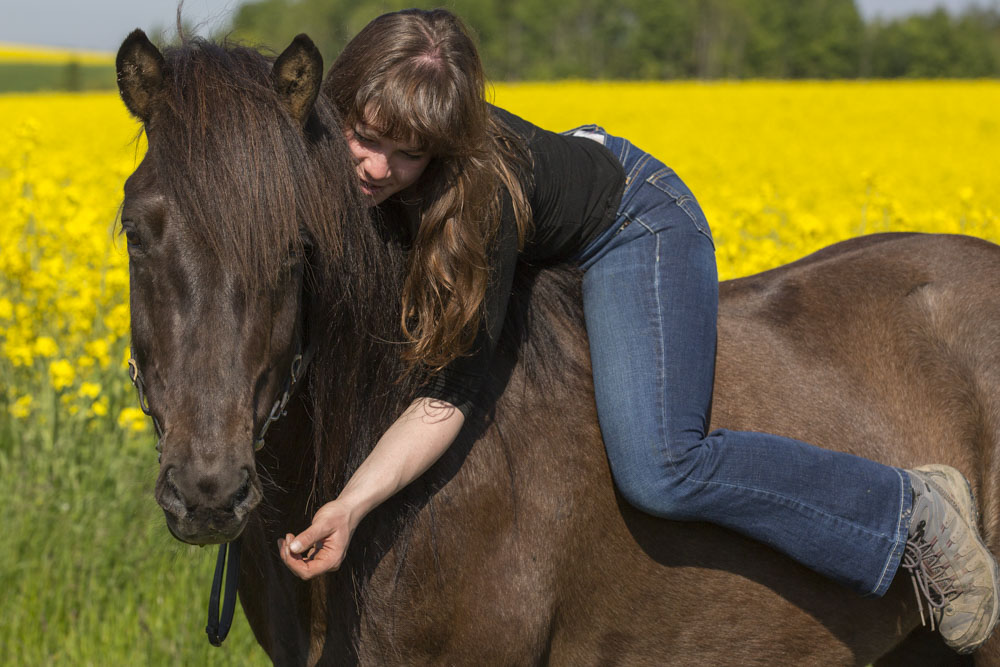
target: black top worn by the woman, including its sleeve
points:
(574, 196)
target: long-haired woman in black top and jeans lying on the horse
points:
(432, 155)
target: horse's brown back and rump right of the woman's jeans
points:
(884, 346)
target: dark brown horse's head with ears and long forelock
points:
(219, 219)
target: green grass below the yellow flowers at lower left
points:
(89, 574)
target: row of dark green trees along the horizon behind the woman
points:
(667, 39)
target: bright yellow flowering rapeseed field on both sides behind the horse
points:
(781, 169)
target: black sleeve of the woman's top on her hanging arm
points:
(461, 381)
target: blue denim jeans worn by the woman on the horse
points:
(650, 293)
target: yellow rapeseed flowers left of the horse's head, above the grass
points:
(63, 281)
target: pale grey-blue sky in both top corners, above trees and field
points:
(103, 24)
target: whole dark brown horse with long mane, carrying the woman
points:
(248, 242)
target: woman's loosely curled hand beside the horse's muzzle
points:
(320, 547)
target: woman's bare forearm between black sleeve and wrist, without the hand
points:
(410, 446)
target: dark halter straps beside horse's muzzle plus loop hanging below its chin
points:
(219, 624)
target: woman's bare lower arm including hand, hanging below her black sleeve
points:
(411, 445)
